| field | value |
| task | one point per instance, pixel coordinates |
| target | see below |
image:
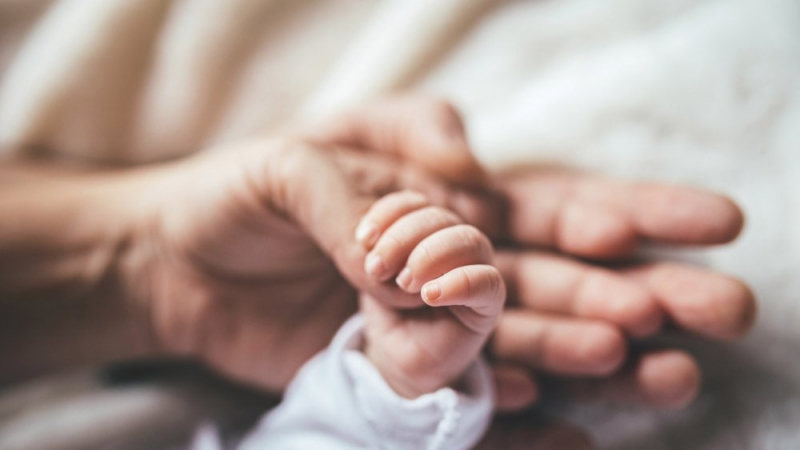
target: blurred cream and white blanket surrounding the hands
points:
(701, 92)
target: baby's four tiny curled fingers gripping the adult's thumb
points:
(436, 255)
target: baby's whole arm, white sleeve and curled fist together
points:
(402, 378)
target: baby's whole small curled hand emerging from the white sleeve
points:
(429, 251)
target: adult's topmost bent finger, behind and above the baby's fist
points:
(423, 130)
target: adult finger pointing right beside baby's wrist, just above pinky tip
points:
(557, 344)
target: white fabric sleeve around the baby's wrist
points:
(338, 400)
